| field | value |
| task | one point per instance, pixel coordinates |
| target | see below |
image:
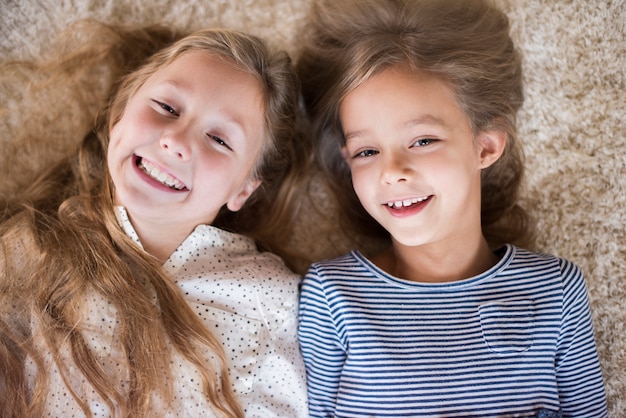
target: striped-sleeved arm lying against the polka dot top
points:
(323, 352)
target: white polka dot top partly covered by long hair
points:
(247, 299)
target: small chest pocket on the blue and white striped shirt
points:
(507, 326)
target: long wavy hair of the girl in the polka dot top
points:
(60, 239)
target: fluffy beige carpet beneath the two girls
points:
(572, 125)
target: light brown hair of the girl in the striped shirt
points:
(464, 43)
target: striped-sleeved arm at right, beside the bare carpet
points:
(579, 378)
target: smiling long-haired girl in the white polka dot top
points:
(131, 280)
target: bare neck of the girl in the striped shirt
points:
(437, 263)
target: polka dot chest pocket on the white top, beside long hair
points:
(240, 337)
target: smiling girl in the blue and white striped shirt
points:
(414, 105)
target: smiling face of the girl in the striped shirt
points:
(414, 159)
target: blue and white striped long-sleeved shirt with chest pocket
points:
(515, 341)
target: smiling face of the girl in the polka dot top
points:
(187, 143)
